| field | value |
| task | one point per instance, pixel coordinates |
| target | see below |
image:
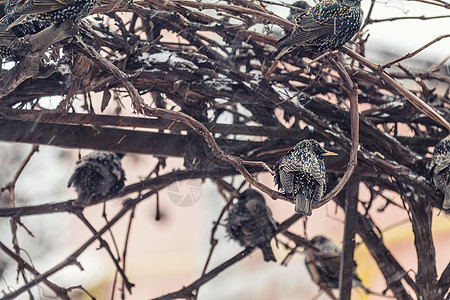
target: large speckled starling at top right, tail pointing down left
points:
(326, 26)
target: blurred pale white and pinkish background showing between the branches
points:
(170, 253)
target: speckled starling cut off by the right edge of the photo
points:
(440, 169)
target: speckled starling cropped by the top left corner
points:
(31, 16)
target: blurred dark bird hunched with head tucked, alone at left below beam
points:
(98, 173)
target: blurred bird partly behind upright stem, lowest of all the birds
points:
(328, 263)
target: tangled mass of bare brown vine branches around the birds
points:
(177, 69)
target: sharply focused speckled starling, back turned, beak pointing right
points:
(301, 174)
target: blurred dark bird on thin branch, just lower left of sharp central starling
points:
(250, 223)
